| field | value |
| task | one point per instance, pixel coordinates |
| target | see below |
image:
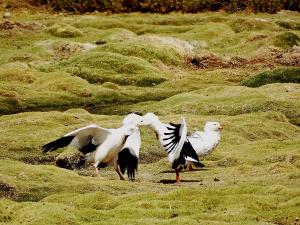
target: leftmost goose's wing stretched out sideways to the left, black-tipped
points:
(85, 139)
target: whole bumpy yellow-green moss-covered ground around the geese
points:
(59, 72)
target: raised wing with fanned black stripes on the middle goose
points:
(174, 138)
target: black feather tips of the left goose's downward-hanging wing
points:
(128, 161)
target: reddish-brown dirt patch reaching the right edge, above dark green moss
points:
(267, 57)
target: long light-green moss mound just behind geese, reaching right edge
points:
(232, 101)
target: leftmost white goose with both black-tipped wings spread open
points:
(102, 146)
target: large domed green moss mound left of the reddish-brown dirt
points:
(100, 67)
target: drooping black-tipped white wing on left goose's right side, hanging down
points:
(129, 155)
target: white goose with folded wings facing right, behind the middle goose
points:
(204, 142)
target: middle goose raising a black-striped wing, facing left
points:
(172, 138)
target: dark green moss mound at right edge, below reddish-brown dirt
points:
(283, 75)
